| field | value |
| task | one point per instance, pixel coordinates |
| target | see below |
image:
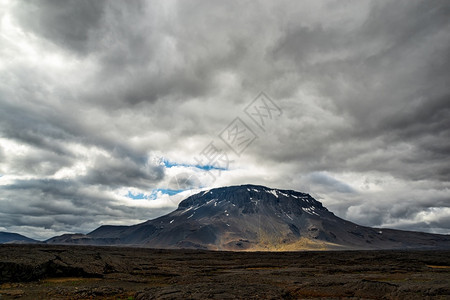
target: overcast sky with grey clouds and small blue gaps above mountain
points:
(108, 109)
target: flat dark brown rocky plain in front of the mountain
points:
(92, 272)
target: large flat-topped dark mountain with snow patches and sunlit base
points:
(254, 218)
